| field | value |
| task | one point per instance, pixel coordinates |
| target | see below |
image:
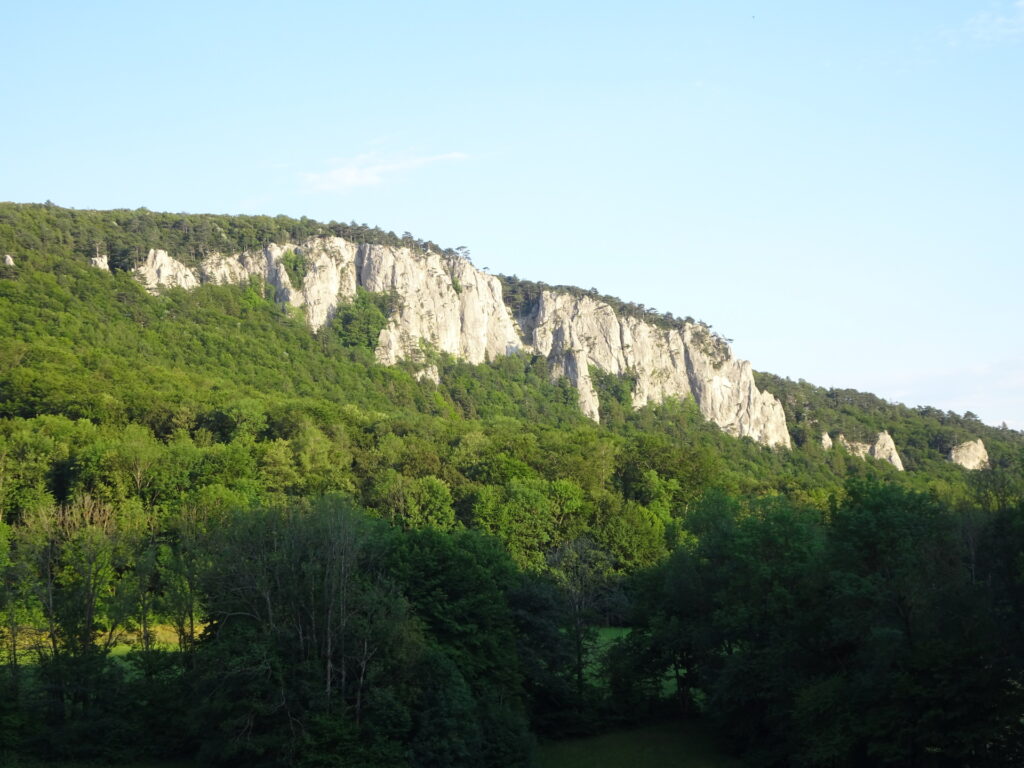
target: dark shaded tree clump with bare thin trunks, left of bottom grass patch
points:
(325, 624)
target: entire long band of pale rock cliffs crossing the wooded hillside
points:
(454, 308)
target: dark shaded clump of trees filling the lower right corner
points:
(866, 635)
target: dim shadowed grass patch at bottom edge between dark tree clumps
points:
(659, 746)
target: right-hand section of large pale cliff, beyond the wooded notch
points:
(578, 332)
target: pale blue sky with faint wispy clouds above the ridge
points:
(838, 188)
